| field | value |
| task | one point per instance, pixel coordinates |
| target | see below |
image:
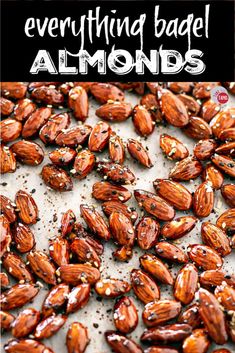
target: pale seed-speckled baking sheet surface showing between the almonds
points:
(97, 315)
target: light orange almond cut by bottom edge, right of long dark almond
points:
(197, 342)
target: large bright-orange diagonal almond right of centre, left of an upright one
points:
(175, 193)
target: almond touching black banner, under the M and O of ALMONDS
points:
(103, 92)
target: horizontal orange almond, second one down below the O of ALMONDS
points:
(114, 111)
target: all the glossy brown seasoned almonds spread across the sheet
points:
(203, 308)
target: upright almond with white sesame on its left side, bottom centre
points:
(125, 315)
